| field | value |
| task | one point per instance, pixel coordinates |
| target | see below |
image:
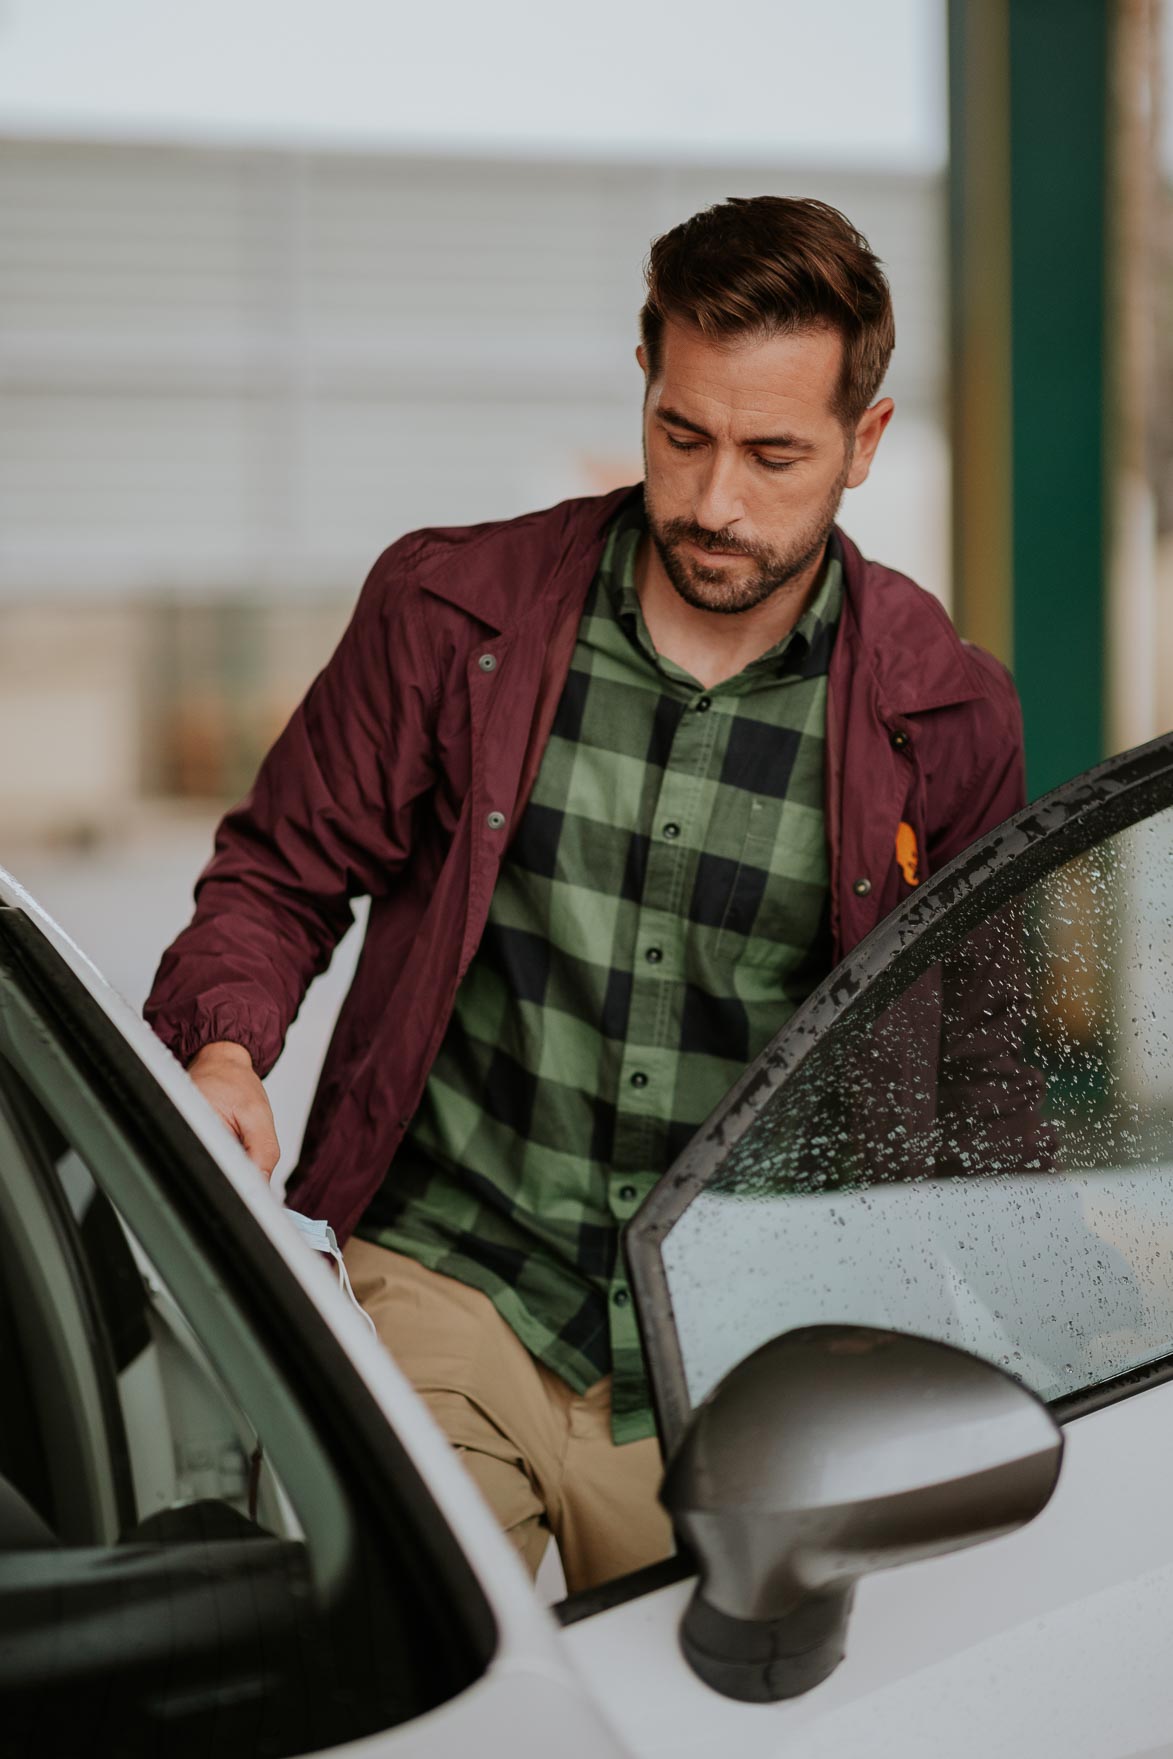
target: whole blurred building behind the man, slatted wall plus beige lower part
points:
(235, 377)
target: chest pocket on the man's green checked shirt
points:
(776, 909)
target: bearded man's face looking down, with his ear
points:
(747, 462)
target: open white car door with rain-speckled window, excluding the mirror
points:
(966, 1134)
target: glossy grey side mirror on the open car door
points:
(824, 1456)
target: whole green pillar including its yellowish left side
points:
(1030, 85)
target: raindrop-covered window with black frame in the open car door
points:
(968, 1134)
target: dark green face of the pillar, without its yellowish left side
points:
(1058, 249)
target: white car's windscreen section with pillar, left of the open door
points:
(226, 1524)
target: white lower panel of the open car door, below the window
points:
(1051, 1644)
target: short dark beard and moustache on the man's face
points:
(717, 588)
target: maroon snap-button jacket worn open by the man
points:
(405, 773)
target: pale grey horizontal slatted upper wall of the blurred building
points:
(235, 372)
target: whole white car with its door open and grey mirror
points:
(922, 1250)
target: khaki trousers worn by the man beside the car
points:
(539, 1452)
